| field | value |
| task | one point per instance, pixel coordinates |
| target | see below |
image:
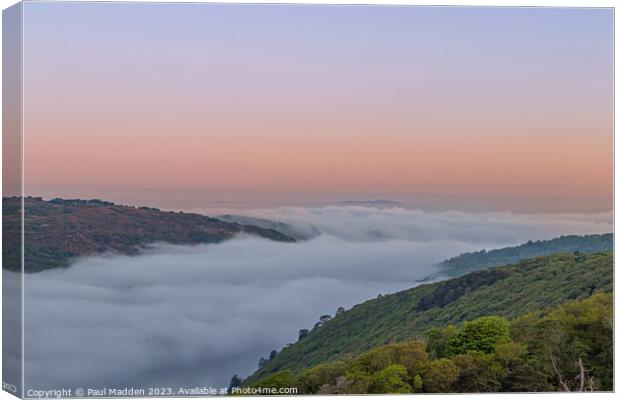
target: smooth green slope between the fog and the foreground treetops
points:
(508, 291)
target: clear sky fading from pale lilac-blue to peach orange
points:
(178, 105)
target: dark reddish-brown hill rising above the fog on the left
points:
(58, 230)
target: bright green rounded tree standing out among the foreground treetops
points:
(479, 335)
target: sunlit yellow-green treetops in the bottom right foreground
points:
(569, 348)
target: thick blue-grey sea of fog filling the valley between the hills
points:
(185, 316)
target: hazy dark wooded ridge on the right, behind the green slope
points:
(483, 259)
